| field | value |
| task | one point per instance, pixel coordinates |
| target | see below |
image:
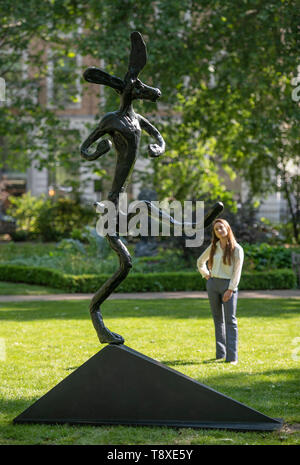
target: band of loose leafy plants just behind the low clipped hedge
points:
(91, 254)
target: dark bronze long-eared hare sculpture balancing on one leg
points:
(124, 126)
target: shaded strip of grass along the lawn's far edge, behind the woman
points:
(165, 308)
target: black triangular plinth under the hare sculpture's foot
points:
(119, 386)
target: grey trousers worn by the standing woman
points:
(224, 315)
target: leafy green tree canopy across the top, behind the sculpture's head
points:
(225, 73)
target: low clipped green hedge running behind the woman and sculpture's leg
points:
(142, 282)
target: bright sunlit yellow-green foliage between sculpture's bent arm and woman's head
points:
(187, 170)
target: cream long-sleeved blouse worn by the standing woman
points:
(219, 270)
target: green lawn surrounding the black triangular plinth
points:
(42, 342)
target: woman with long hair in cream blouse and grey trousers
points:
(225, 260)
